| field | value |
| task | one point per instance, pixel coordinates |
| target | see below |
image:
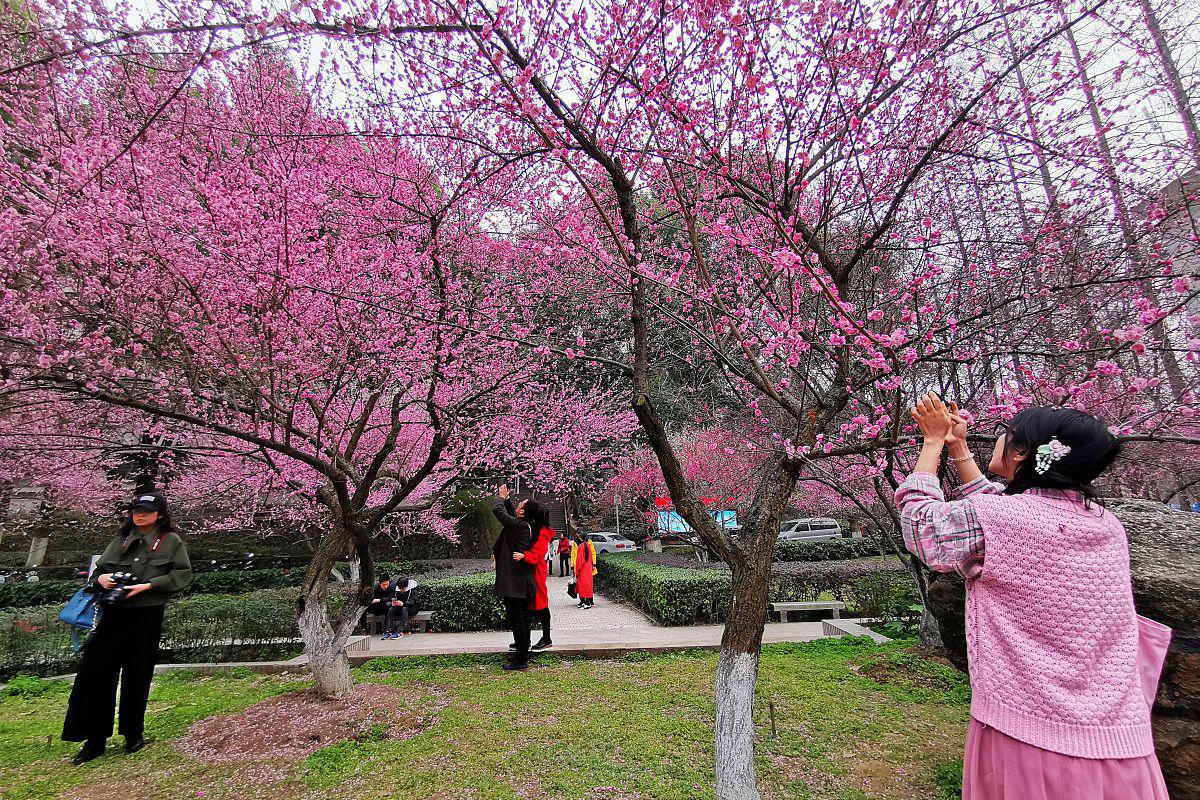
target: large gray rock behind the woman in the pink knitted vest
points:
(1165, 549)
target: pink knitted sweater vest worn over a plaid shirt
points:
(1052, 630)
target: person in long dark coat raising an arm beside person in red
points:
(514, 576)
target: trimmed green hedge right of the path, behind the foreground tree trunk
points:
(688, 597)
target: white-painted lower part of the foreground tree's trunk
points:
(737, 673)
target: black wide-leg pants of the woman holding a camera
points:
(124, 646)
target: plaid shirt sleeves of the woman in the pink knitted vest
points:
(945, 536)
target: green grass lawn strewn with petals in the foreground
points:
(853, 721)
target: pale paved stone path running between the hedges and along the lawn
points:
(608, 629)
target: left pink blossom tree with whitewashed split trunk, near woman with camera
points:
(215, 261)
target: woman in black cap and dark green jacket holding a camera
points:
(125, 642)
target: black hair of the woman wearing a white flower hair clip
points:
(1093, 449)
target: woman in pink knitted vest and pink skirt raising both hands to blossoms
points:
(1064, 672)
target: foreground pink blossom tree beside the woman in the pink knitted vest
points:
(811, 212)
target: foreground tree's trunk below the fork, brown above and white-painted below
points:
(737, 675)
